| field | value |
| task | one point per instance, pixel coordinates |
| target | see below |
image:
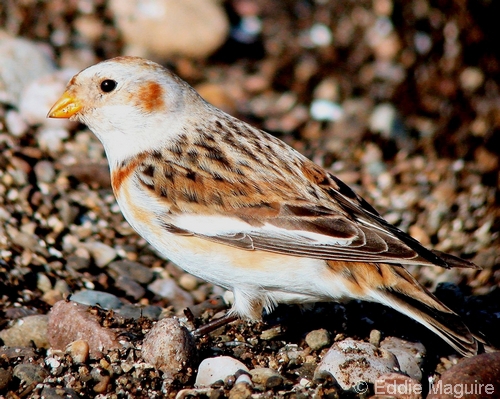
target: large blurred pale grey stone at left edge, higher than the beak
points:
(21, 62)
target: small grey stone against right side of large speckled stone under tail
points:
(410, 355)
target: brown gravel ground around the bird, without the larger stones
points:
(398, 99)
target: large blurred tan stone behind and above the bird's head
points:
(164, 28)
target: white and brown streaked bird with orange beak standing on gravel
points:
(239, 208)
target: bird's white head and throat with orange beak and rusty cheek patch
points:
(131, 104)
